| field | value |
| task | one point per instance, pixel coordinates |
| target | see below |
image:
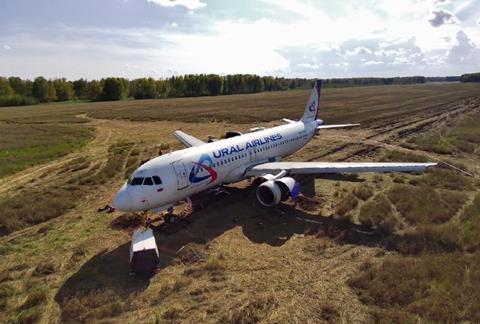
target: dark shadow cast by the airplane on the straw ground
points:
(109, 271)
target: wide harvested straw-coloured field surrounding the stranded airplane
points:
(333, 257)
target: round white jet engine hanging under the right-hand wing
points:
(273, 191)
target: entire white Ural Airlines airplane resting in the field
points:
(161, 182)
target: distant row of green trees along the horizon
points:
(15, 91)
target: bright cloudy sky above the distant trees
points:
(292, 38)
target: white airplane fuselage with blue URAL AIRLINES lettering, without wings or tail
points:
(192, 170)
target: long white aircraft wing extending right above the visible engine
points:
(335, 167)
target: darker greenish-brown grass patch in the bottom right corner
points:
(434, 287)
